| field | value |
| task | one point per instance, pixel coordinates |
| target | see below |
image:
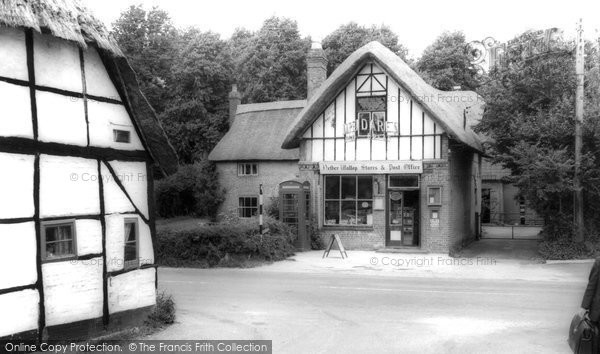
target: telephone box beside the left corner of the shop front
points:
(294, 210)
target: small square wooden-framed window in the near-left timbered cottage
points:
(58, 239)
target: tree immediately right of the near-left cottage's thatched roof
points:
(148, 40)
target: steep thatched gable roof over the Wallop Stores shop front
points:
(446, 108)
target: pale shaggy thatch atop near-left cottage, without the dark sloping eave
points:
(66, 19)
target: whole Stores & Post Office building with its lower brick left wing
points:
(376, 156)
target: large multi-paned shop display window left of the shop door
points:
(348, 200)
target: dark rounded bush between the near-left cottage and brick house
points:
(192, 190)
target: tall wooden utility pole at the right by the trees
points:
(578, 193)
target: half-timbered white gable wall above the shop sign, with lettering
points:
(408, 132)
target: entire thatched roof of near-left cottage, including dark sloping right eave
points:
(69, 20)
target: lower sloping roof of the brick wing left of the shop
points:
(257, 133)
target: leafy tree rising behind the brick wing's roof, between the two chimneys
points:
(270, 64)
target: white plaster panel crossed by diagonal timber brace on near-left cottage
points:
(133, 177)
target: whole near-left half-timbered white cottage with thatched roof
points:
(78, 142)
